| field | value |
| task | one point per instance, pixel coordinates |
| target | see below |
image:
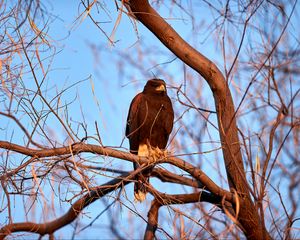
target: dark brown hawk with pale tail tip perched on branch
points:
(148, 127)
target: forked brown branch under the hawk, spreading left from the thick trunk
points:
(200, 179)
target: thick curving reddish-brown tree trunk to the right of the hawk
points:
(248, 216)
